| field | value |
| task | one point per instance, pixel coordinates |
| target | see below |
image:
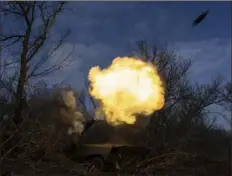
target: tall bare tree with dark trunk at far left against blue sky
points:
(30, 40)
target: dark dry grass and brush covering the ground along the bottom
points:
(32, 149)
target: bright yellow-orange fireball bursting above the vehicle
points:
(129, 86)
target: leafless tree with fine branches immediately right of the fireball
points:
(186, 103)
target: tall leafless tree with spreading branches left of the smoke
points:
(31, 45)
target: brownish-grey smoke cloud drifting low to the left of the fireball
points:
(59, 108)
